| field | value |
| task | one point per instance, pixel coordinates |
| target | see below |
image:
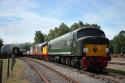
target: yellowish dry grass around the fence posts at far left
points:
(16, 74)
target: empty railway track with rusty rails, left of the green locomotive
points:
(47, 74)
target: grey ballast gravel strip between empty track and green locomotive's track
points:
(72, 73)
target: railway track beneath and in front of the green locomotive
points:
(107, 77)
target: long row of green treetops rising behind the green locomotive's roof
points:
(63, 29)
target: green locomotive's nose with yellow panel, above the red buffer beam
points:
(96, 46)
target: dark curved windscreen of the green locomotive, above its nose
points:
(90, 32)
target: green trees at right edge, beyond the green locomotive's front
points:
(118, 42)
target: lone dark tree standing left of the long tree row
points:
(39, 37)
